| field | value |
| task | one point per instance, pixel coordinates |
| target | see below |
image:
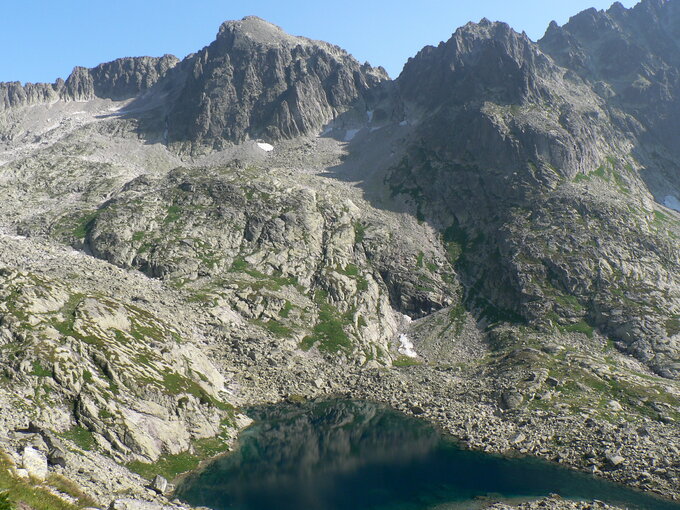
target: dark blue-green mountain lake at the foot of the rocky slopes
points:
(347, 455)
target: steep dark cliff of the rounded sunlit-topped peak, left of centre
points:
(256, 81)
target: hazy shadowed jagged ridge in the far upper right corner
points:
(631, 58)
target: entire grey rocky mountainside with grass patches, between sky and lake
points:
(488, 241)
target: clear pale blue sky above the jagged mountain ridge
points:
(41, 40)
